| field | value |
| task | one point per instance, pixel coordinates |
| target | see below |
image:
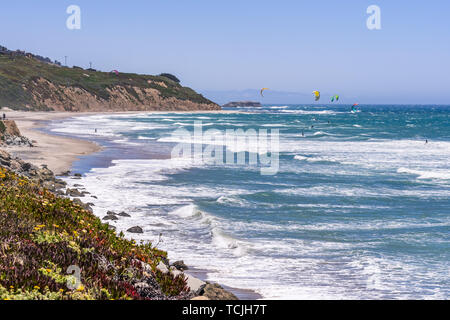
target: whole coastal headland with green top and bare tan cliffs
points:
(29, 83)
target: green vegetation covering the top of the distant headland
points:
(19, 75)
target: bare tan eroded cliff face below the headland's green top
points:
(120, 98)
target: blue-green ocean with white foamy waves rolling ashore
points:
(359, 207)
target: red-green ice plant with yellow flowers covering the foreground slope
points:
(42, 235)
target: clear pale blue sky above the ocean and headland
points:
(233, 45)
